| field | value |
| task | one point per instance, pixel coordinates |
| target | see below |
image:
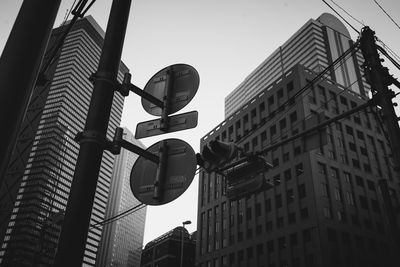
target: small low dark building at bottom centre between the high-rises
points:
(165, 251)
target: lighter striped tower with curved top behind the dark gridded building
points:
(315, 45)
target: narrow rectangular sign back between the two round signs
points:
(175, 123)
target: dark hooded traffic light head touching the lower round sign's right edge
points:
(216, 154)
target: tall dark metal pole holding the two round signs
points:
(77, 216)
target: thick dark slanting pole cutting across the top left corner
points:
(19, 68)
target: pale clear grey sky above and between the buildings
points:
(224, 40)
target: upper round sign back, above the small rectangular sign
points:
(181, 79)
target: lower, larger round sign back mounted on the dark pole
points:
(179, 173)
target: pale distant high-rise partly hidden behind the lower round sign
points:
(122, 240)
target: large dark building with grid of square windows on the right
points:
(334, 205)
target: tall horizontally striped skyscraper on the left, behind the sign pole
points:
(38, 180)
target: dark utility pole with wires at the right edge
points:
(380, 79)
